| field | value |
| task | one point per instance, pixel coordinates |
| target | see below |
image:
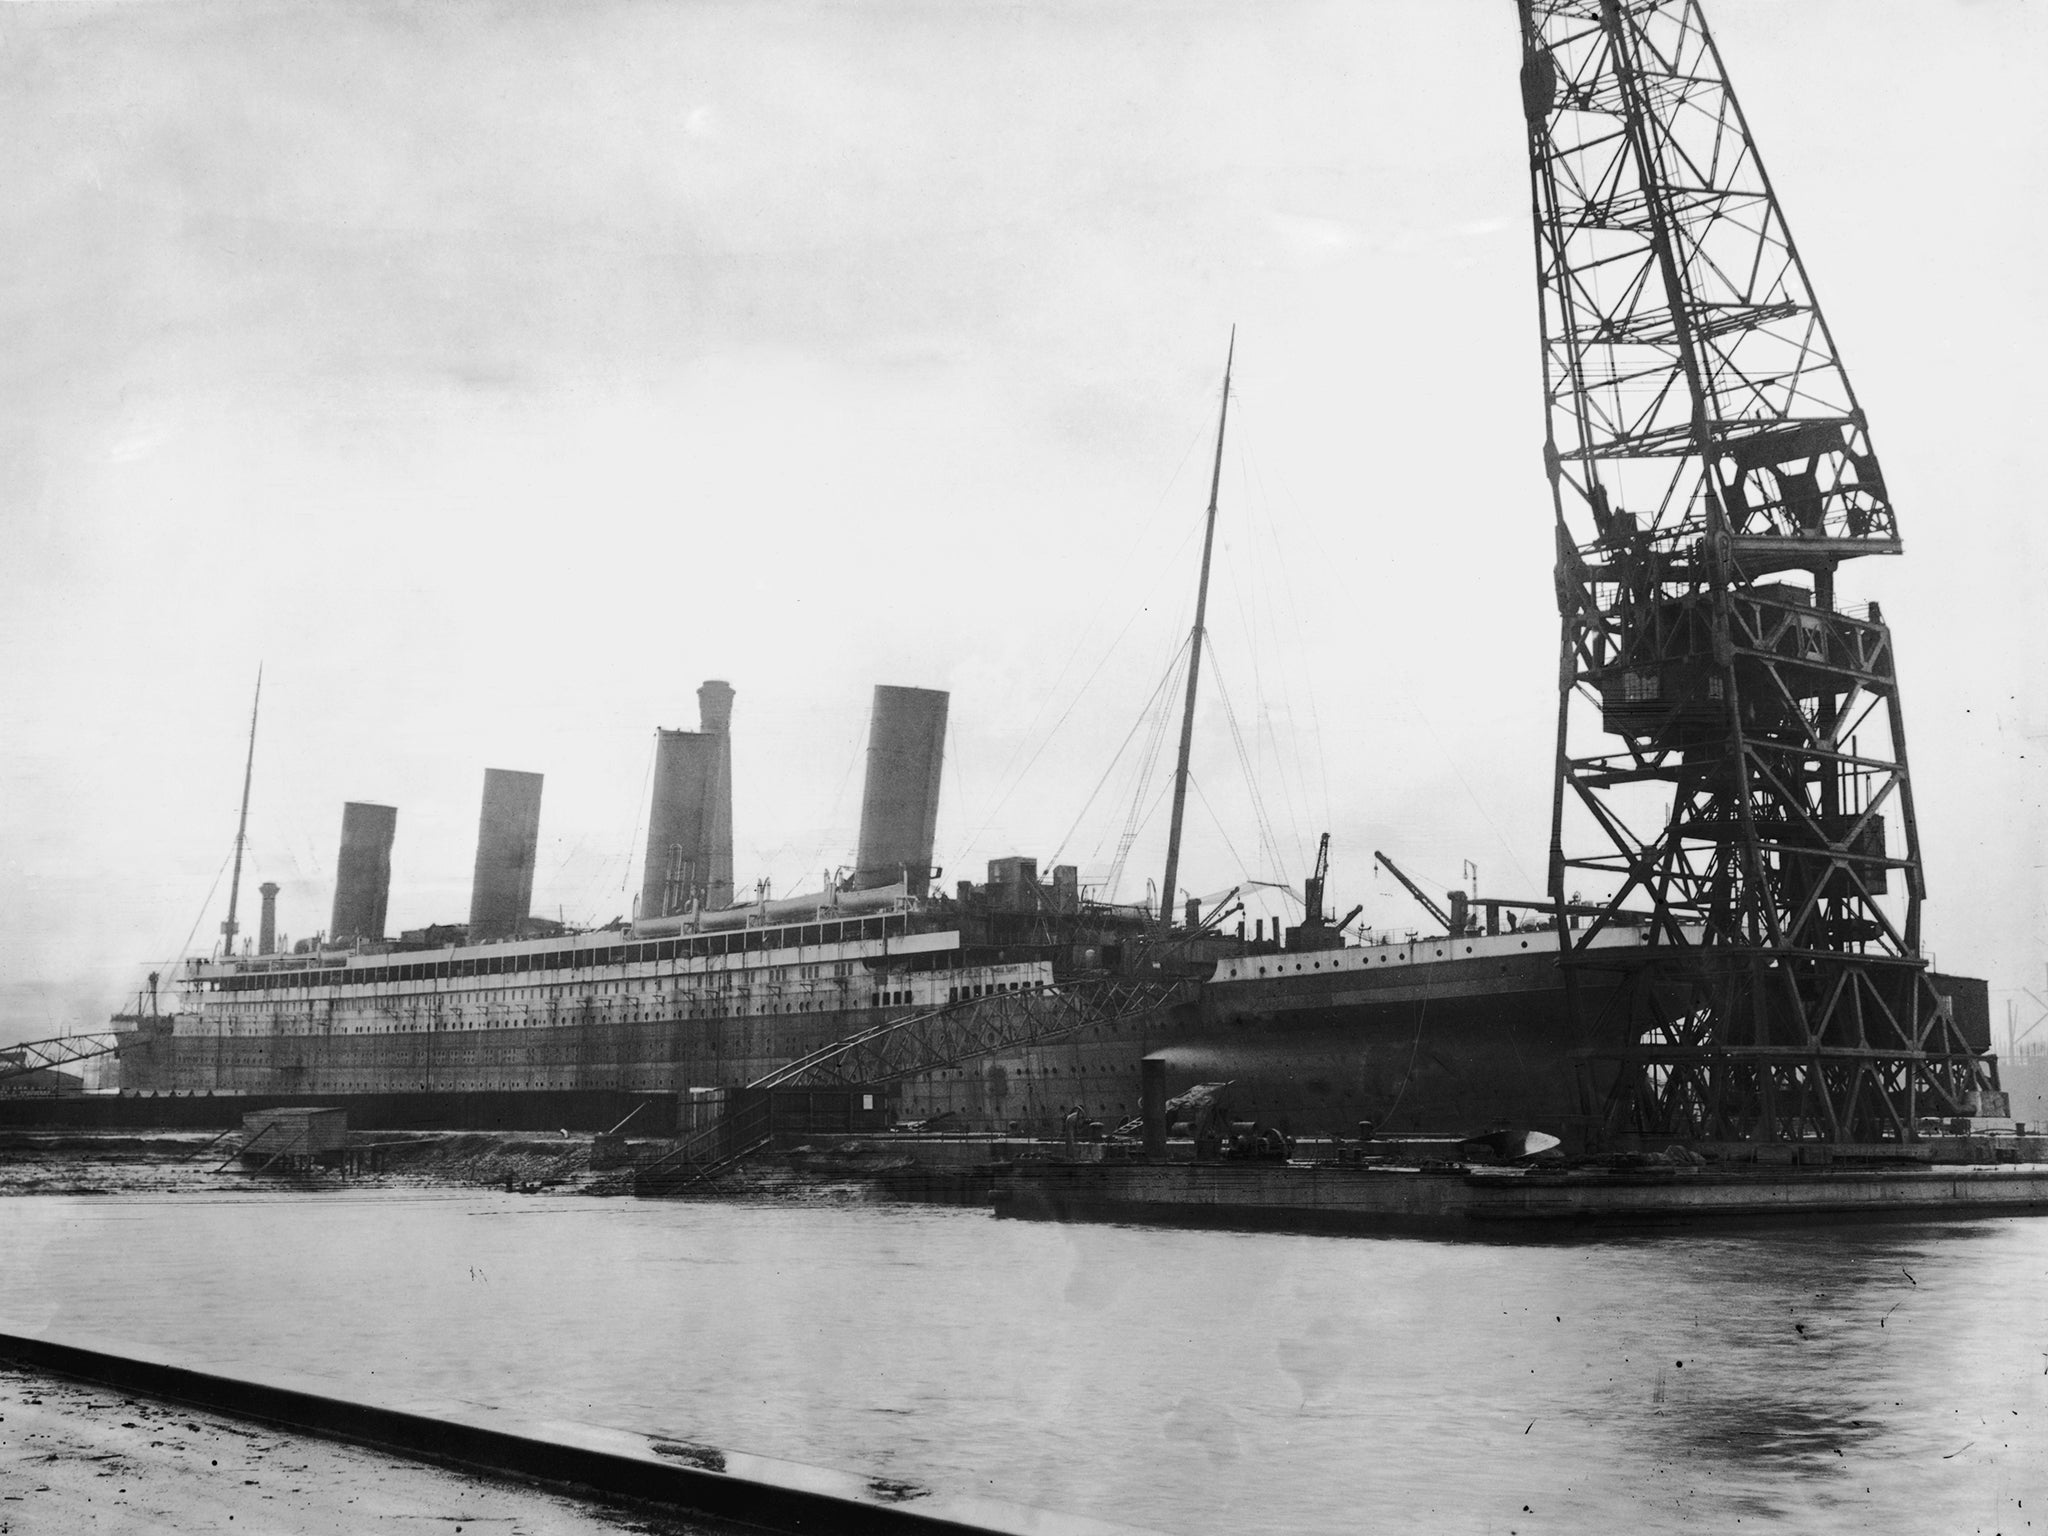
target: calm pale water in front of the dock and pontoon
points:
(1816, 1381)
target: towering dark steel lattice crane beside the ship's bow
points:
(1732, 749)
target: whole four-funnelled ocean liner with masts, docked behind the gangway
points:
(1314, 1033)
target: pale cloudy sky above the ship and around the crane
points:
(495, 374)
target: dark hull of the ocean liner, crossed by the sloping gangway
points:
(1433, 1035)
